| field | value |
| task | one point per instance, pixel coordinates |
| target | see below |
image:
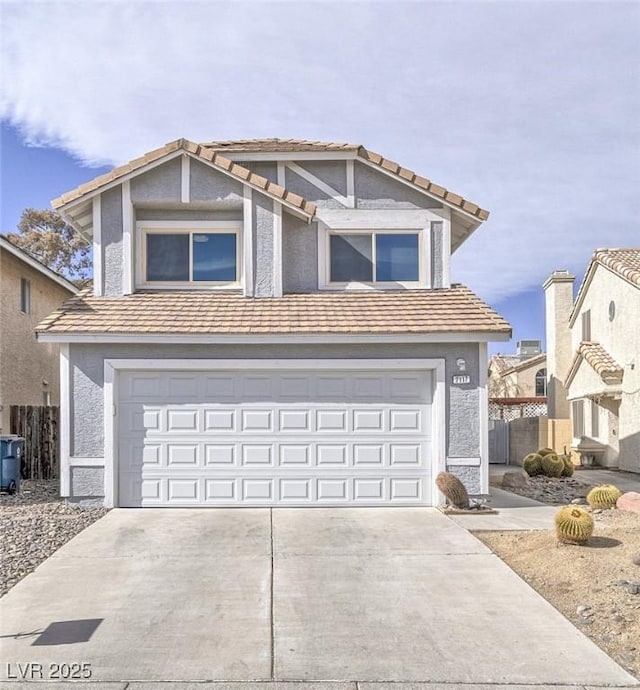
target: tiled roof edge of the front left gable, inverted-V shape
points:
(208, 155)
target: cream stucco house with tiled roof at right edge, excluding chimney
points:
(603, 380)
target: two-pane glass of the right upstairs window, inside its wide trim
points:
(374, 257)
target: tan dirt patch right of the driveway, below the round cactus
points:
(597, 586)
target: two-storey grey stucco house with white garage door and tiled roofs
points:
(272, 323)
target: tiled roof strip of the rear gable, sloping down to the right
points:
(375, 159)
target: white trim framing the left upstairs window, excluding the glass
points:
(174, 227)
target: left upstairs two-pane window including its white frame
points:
(189, 254)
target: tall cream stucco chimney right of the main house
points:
(558, 292)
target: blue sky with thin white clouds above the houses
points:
(530, 109)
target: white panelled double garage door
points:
(228, 438)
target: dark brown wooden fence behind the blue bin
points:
(39, 426)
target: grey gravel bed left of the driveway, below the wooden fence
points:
(34, 523)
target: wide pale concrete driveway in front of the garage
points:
(289, 594)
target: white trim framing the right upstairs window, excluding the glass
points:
(324, 259)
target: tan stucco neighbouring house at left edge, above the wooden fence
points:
(29, 291)
